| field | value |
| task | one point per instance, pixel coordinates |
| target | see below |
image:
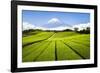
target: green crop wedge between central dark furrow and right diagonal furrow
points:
(66, 53)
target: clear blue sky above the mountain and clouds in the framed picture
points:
(39, 18)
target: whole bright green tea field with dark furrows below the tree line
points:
(55, 46)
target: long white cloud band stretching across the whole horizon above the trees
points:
(27, 26)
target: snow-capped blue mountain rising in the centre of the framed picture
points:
(55, 24)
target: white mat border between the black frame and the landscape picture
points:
(52, 63)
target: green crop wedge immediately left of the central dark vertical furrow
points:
(48, 54)
